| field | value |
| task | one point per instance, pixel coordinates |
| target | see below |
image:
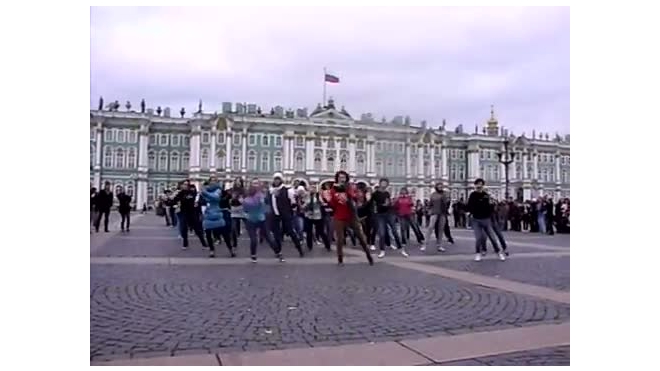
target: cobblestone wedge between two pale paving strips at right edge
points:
(553, 272)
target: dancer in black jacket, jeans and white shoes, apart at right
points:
(479, 205)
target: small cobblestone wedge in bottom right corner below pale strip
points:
(558, 356)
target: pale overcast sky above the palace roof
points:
(431, 63)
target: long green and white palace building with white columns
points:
(148, 152)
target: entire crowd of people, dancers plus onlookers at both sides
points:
(370, 217)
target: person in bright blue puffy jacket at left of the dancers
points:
(214, 222)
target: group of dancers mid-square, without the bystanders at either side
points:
(342, 209)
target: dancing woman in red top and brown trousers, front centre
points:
(342, 201)
